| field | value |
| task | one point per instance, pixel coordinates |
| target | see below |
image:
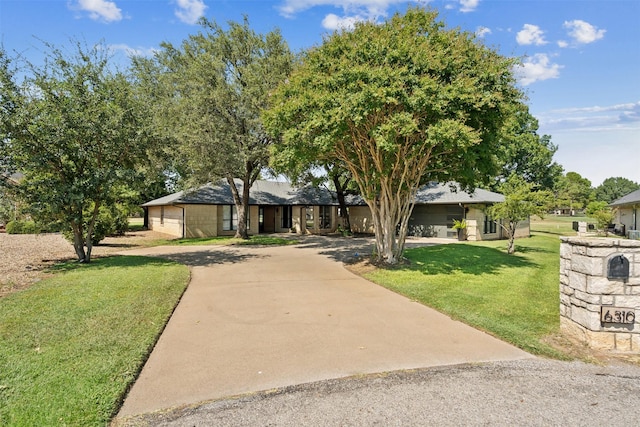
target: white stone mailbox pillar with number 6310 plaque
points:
(600, 292)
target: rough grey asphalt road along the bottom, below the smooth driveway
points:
(531, 392)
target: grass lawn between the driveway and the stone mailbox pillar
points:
(514, 297)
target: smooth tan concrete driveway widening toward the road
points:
(259, 318)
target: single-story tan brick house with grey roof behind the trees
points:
(276, 207)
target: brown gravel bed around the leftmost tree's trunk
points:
(25, 258)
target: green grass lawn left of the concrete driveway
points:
(72, 344)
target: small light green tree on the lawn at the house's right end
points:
(522, 200)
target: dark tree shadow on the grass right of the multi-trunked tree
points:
(462, 258)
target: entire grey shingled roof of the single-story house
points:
(283, 193)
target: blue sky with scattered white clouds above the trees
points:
(581, 58)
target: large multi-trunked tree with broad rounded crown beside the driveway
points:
(399, 104)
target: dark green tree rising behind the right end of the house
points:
(526, 153)
